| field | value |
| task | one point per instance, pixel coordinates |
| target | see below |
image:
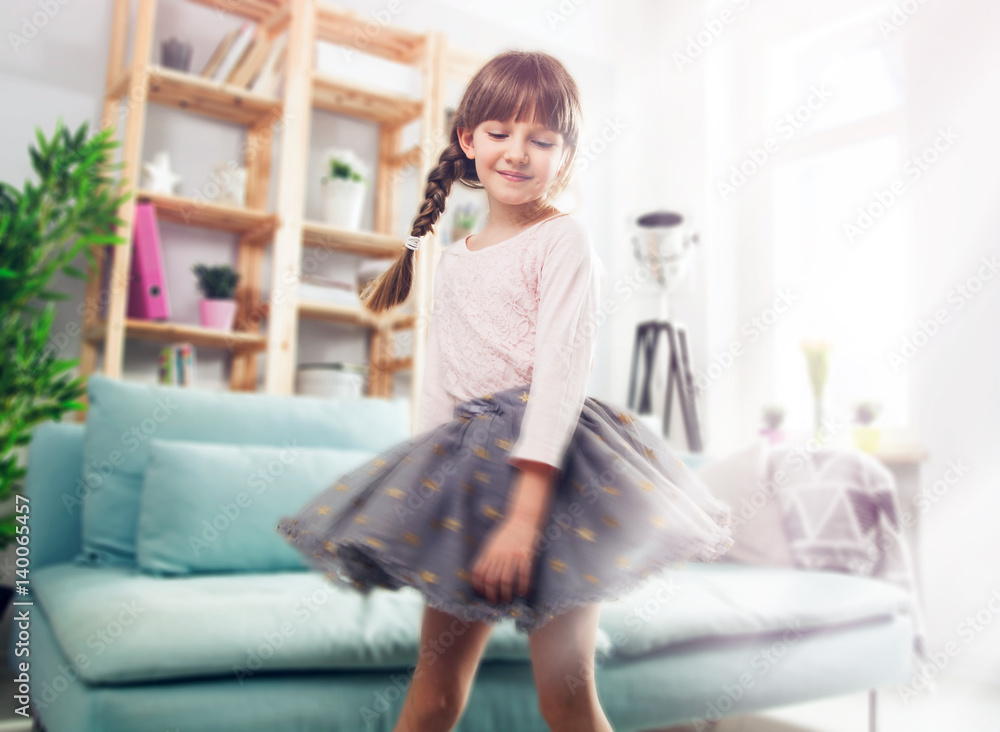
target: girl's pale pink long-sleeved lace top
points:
(524, 310)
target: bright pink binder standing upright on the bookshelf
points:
(147, 295)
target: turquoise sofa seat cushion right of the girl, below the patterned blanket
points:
(711, 600)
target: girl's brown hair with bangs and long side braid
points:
(518, 84)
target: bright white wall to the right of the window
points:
(953, 59)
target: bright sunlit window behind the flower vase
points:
(838, 231)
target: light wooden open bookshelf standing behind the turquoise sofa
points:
(284, 233)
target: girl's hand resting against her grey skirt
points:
(507, 557)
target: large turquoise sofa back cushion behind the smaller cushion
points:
(123, 417)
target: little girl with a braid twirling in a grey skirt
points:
(519, 496)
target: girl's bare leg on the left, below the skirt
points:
(450, 650)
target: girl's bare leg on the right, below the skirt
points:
(562, 659)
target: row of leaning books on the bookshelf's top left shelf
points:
(247, 57)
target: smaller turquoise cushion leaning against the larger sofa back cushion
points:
(214, 508)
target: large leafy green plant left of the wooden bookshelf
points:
(43, 229)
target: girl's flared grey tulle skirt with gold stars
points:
(419, 513)
